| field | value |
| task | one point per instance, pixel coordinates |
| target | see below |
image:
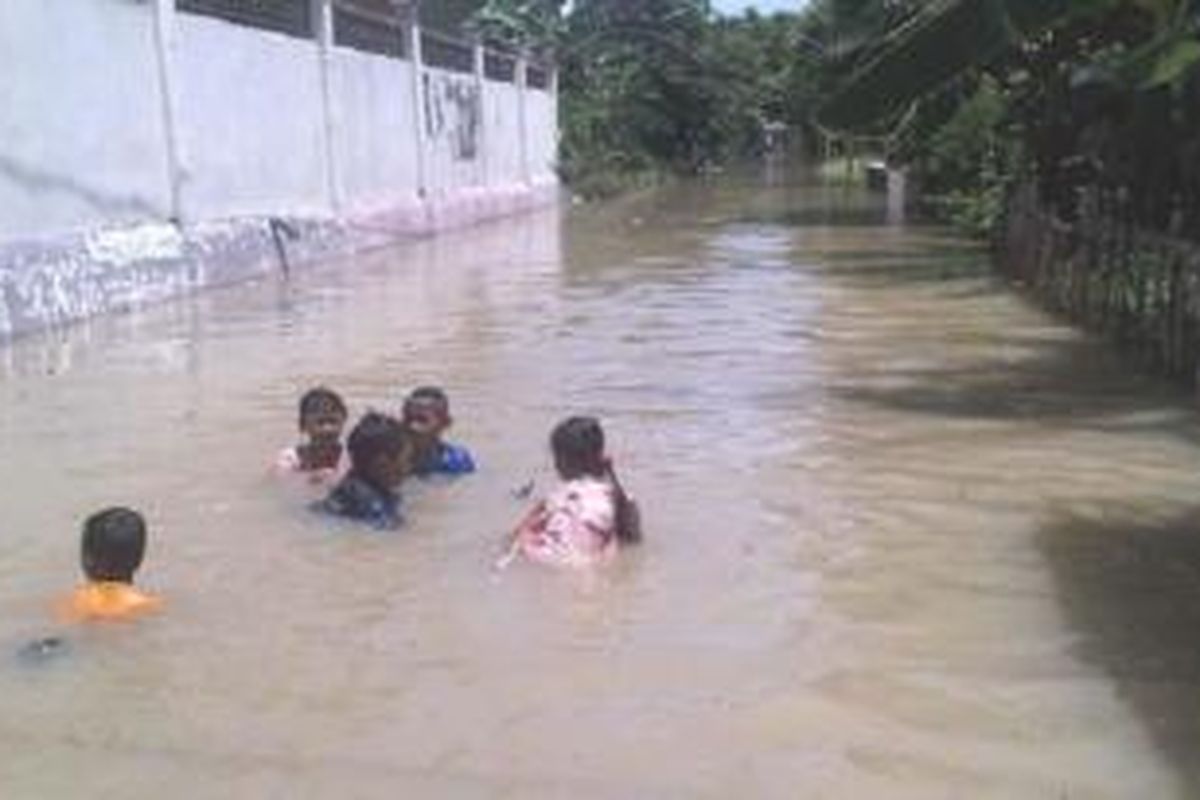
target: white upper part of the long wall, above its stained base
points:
(104, 111)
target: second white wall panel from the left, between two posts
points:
(251, 124)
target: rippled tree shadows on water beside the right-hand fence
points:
(1016, 370)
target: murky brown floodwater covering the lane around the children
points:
(908, 537)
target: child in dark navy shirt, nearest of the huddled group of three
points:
(381, 458)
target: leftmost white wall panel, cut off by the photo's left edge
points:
(81, 124)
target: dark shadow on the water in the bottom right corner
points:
(1132, 593)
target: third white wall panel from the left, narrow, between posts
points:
(375, 146)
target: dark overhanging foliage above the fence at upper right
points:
(1096, 103)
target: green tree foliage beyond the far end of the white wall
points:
(657, 86)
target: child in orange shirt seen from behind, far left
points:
(115, 542)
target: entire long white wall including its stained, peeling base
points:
(143, 153)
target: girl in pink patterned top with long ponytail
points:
(583, 521)
